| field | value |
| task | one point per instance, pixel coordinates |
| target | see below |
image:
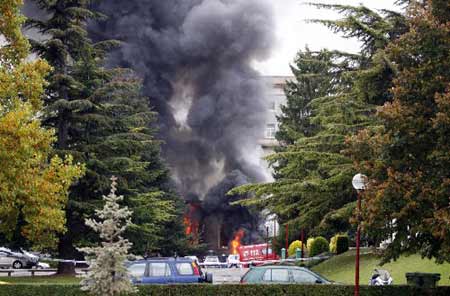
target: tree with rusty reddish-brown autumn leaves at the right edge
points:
(407, 158)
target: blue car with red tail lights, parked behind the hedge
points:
(167, 271)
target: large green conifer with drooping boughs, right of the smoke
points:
(313, 175)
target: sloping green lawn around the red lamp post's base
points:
(341, 268)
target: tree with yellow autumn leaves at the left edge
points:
(33, 185)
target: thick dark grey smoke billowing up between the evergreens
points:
(195, 57)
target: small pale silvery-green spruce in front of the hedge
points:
(108, 275)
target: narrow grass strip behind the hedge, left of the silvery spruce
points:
(41, 280)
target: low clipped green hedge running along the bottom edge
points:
(245, 290)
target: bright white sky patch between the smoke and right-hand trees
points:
(293, 33)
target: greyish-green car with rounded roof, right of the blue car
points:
(282, 274)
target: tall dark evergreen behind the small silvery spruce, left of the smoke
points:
(104, 121)
